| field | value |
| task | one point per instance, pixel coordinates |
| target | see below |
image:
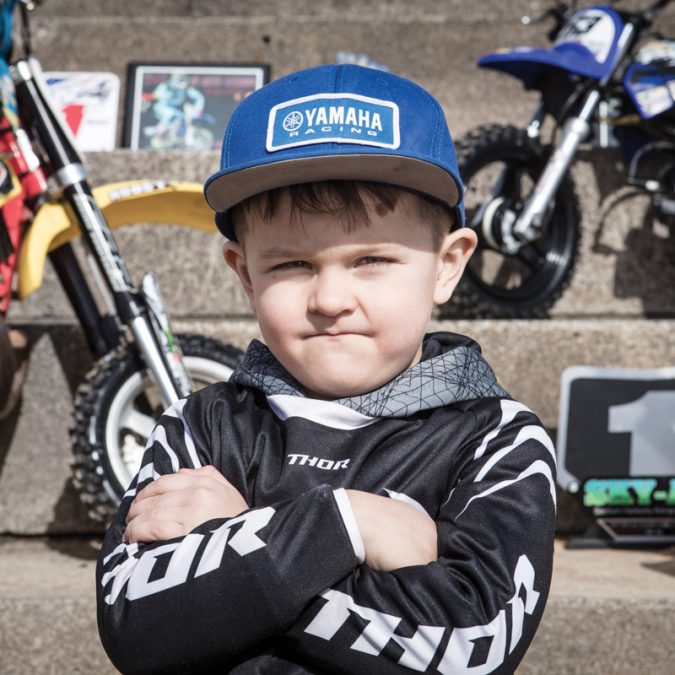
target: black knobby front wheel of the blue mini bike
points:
(496, 283)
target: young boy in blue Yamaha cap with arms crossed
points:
(360, 497)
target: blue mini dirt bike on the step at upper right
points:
(607, 80)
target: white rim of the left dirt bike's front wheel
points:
(127, 428)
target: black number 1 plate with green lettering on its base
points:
(616, 450)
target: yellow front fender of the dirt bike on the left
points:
(125, 203)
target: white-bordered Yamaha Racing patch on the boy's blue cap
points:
(333, 118)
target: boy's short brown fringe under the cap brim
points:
(347, 198)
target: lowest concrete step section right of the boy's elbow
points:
(609, 611)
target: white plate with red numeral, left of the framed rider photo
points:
(89, 103)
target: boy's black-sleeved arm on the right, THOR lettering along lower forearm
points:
(477, 606)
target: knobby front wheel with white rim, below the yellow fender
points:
(115, 410)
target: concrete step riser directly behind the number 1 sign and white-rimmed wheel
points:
(527, 356)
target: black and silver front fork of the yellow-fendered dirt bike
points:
(141, 310)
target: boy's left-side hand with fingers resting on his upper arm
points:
(174, 504)
